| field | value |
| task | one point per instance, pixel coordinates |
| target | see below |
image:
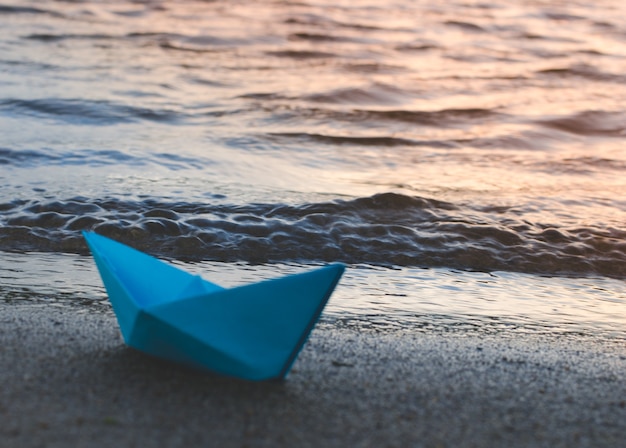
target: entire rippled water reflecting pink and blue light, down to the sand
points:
(466, 160)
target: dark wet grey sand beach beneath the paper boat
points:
(66, 379)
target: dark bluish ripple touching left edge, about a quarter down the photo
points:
(82, 111)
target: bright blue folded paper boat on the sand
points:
(254, 332)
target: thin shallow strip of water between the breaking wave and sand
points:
(424, 300)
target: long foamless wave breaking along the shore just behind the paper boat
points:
(384, 229)
